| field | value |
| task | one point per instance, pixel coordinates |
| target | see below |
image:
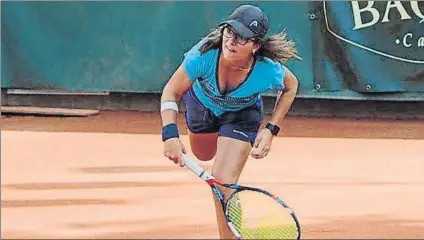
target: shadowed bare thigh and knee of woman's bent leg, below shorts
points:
(203, 145)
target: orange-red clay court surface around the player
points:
(105, 177)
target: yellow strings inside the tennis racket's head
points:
(255, 215)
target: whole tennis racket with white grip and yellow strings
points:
(251, 213)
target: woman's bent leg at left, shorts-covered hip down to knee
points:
(202, 131)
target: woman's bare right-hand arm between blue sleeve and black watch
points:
(285, 98)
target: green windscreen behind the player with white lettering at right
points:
(349, 49)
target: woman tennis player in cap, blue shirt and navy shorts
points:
(221, 80)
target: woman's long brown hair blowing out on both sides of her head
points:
(275, 47)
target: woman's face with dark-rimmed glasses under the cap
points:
(235, 47)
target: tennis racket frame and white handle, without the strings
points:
(212, 182)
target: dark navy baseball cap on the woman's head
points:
(248, 21)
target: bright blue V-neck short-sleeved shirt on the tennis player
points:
(202, 72)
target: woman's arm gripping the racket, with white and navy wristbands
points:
(174, 89)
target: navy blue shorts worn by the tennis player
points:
(242, 125)
